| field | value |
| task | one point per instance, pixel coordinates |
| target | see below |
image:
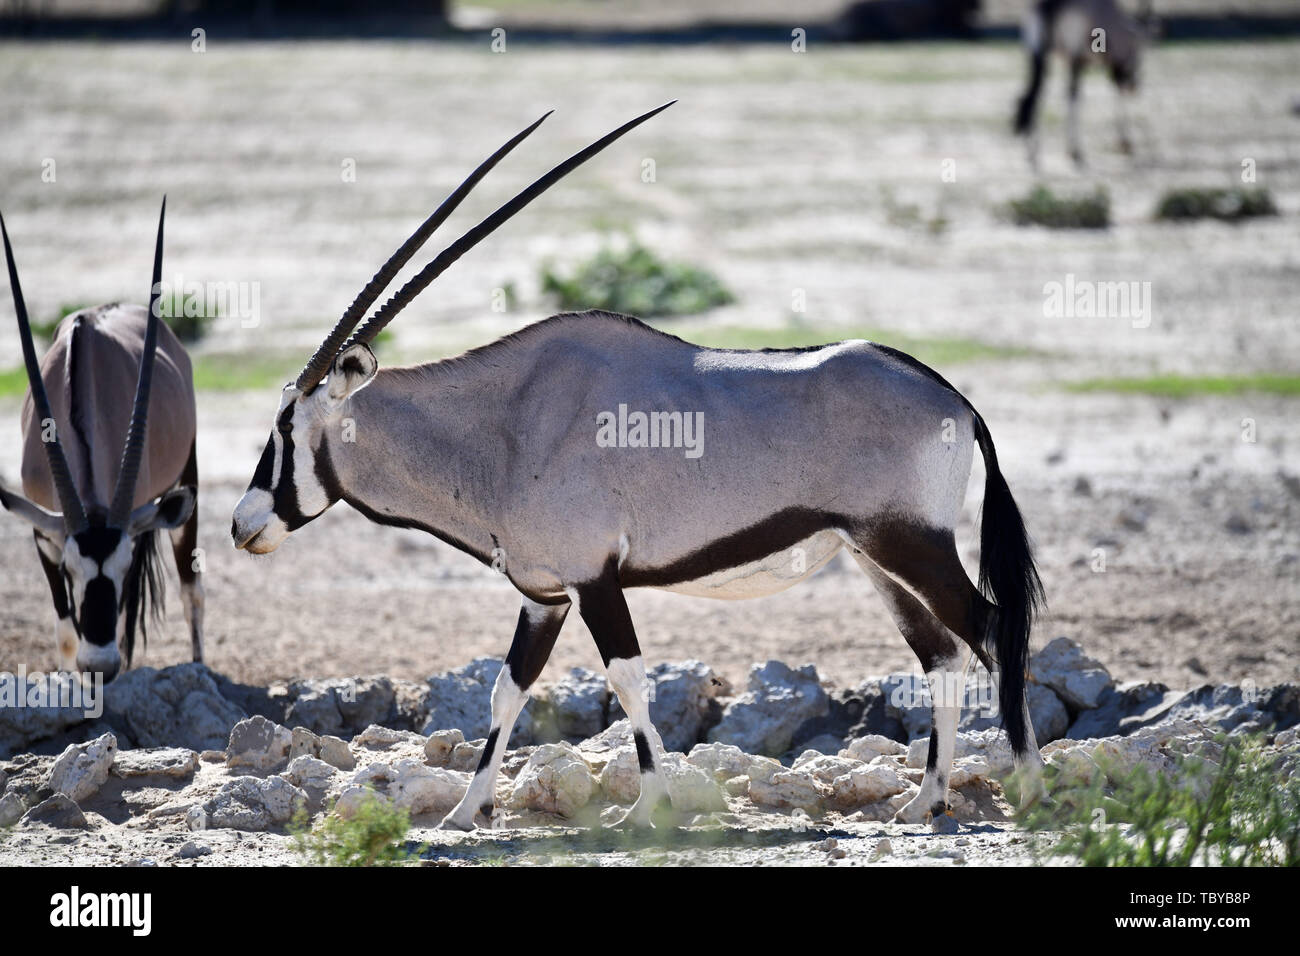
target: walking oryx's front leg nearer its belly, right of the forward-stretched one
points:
(605, 612)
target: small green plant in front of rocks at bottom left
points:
(372, 837)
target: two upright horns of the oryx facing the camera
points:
(133, 453)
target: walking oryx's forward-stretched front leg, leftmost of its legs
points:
(535, 637)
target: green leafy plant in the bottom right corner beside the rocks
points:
(1233, 806)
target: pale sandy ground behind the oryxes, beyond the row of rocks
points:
(777, 171)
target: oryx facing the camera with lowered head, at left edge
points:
(107, 462)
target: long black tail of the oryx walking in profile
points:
(1011, 581)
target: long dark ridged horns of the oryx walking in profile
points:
(324, 357)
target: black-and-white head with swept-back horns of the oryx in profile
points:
(291, 487)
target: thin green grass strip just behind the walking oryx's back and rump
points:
(931, 351)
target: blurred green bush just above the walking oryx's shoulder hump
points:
(634, 280)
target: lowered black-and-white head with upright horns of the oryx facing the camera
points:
(96, 548)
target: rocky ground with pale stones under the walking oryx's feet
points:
(188, 768)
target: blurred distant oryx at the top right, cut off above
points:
(1082, 32)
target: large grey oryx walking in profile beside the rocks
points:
(497, 453)
